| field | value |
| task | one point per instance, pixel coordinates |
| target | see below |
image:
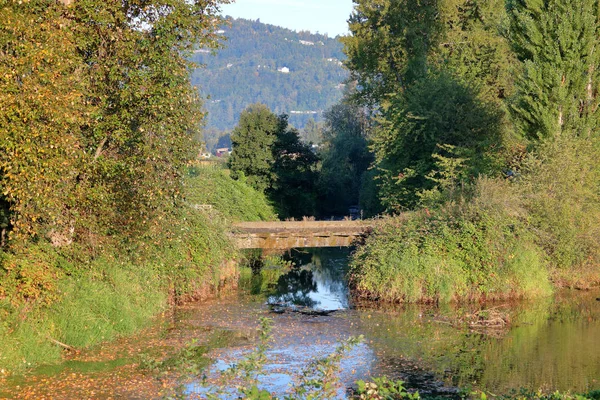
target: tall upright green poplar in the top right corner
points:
(558, 44)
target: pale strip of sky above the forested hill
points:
(323, 16)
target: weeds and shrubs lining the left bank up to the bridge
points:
(77, 296)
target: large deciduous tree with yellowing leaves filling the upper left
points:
(97, 113)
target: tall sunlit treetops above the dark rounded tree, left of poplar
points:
(396, 43)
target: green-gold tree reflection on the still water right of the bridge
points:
(551, 345)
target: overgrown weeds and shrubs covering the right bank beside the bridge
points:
(501, 238)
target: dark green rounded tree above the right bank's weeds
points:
(435, 121)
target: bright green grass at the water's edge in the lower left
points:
(113, 299)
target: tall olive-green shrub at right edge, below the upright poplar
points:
(561, 190)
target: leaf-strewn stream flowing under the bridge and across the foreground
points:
(549, 344)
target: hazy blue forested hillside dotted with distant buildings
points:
(253, 67)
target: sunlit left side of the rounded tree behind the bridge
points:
(252, 141)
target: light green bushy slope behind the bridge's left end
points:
(233, 199)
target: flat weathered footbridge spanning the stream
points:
(291, 234)
